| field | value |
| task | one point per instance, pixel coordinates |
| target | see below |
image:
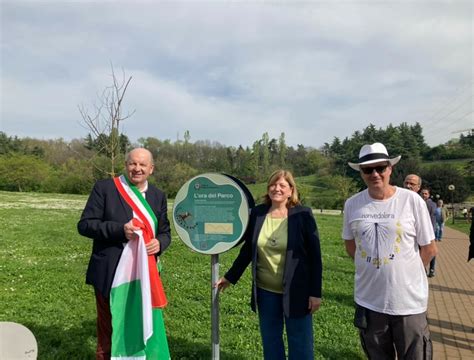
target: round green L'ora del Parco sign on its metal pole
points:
(210, 215)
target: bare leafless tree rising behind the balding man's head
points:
(105, 118)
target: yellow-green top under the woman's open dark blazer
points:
(271, 252)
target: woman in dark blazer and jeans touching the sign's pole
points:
(282, 243)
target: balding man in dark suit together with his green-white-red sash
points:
(127, 218)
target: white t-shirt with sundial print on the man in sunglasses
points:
(390, 277)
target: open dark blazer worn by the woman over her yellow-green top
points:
(302, 275)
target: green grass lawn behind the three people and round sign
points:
(42, 267)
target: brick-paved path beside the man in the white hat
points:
(451, 304)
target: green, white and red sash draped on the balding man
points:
(137, 295)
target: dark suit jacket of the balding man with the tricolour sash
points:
(103, 219)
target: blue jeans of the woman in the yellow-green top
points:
(299, 331)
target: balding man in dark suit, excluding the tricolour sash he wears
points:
(107, 219)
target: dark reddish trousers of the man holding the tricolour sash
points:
(104, 327)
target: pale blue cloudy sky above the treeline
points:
(229, 71)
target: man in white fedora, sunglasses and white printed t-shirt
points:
(388, 232)
